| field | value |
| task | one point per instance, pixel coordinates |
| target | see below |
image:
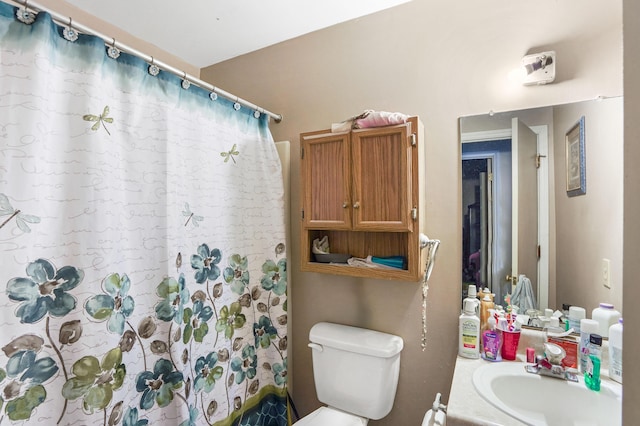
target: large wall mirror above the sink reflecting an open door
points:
(519, 217)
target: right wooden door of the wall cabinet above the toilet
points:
(382, 193)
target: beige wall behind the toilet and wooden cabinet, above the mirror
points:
(439, 62)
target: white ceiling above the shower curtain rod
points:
(205, 32)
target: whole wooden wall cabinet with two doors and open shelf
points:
(362, 189)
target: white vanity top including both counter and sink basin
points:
(466, 405)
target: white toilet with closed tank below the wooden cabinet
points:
(356, 374)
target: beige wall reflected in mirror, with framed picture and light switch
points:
(589, 227)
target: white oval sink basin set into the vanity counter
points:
(540, 400)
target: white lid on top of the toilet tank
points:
(354, 339)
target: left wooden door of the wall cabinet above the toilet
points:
(326, 175)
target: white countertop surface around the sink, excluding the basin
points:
(466, 407)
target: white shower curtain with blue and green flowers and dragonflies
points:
(142, 258)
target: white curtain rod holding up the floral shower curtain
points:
(66, 20)
